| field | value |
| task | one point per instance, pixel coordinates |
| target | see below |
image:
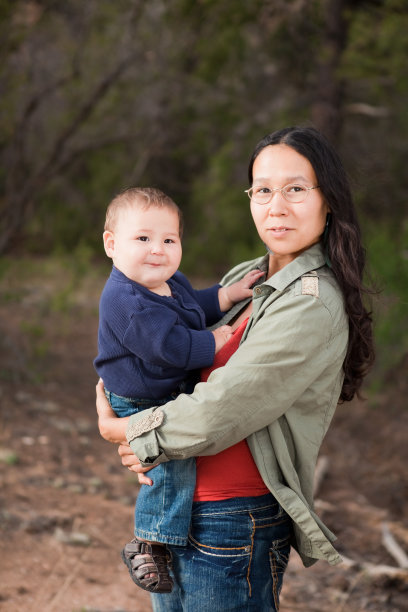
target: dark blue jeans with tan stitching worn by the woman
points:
(237, 553)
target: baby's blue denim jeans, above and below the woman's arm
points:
(163, 511)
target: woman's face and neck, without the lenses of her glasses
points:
(287, 228)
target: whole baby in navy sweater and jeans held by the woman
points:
(152, 341)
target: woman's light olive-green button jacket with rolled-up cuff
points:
(279, 390)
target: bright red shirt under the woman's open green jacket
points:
(232, 472)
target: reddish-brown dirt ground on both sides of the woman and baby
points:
(66, 503)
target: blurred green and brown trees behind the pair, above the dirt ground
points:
(96, 96)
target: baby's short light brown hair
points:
(143, 198)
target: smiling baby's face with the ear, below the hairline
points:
(146, 245)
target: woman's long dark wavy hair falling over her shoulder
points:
(342, 243)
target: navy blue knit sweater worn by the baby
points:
(149, 343)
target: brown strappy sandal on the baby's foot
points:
(144, 558)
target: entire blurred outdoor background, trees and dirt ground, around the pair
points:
(99, 95)
